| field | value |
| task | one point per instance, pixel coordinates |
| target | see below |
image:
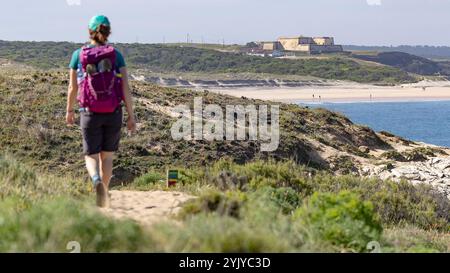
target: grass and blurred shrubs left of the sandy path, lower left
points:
(43, 213)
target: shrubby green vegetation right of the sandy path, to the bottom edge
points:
(299, 210)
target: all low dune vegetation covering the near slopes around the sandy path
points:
(248, 201)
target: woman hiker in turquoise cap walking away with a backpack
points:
(99, 76)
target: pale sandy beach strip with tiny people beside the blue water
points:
(348, 92)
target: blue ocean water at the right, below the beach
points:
(427, 122)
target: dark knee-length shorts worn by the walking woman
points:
(101, 132)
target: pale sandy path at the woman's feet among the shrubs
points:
(145, 207)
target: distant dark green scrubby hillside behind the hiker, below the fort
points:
(191, 59)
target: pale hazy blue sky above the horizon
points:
(362, 22)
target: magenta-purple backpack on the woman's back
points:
(100, 90)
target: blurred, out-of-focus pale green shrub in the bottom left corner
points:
(49, 226)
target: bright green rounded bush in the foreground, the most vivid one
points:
(342, 220)
